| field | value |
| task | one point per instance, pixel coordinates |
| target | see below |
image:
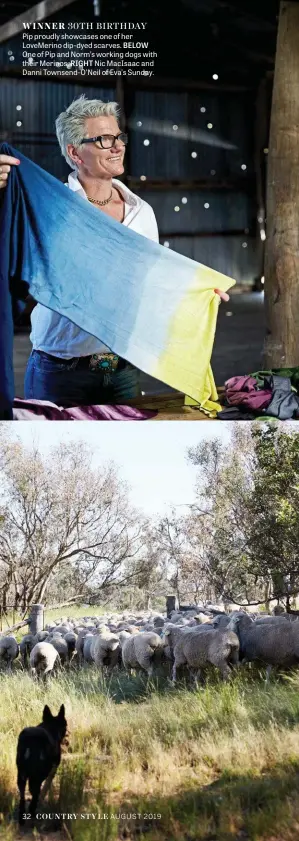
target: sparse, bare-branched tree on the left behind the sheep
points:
(64, 525)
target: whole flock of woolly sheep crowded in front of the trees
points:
(190, 638)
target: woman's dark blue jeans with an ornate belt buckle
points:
(61, 382)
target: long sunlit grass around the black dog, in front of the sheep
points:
(212, 765)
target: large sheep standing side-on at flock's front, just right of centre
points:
(197, 648)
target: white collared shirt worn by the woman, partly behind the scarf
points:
(57, 335)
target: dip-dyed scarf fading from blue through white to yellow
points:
(150, 305)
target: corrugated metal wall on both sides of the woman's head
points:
(167, 157)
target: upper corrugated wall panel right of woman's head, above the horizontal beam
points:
(169, 154)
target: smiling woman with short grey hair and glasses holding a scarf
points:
(68, 366)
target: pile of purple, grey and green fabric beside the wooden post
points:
(264, 394)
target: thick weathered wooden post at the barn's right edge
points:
(282, 244)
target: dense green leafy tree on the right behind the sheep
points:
(248, 493)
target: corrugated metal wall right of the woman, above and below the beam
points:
(175, 126)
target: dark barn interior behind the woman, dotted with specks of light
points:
(198, 139)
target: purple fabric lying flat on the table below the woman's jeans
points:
(44, 410)
